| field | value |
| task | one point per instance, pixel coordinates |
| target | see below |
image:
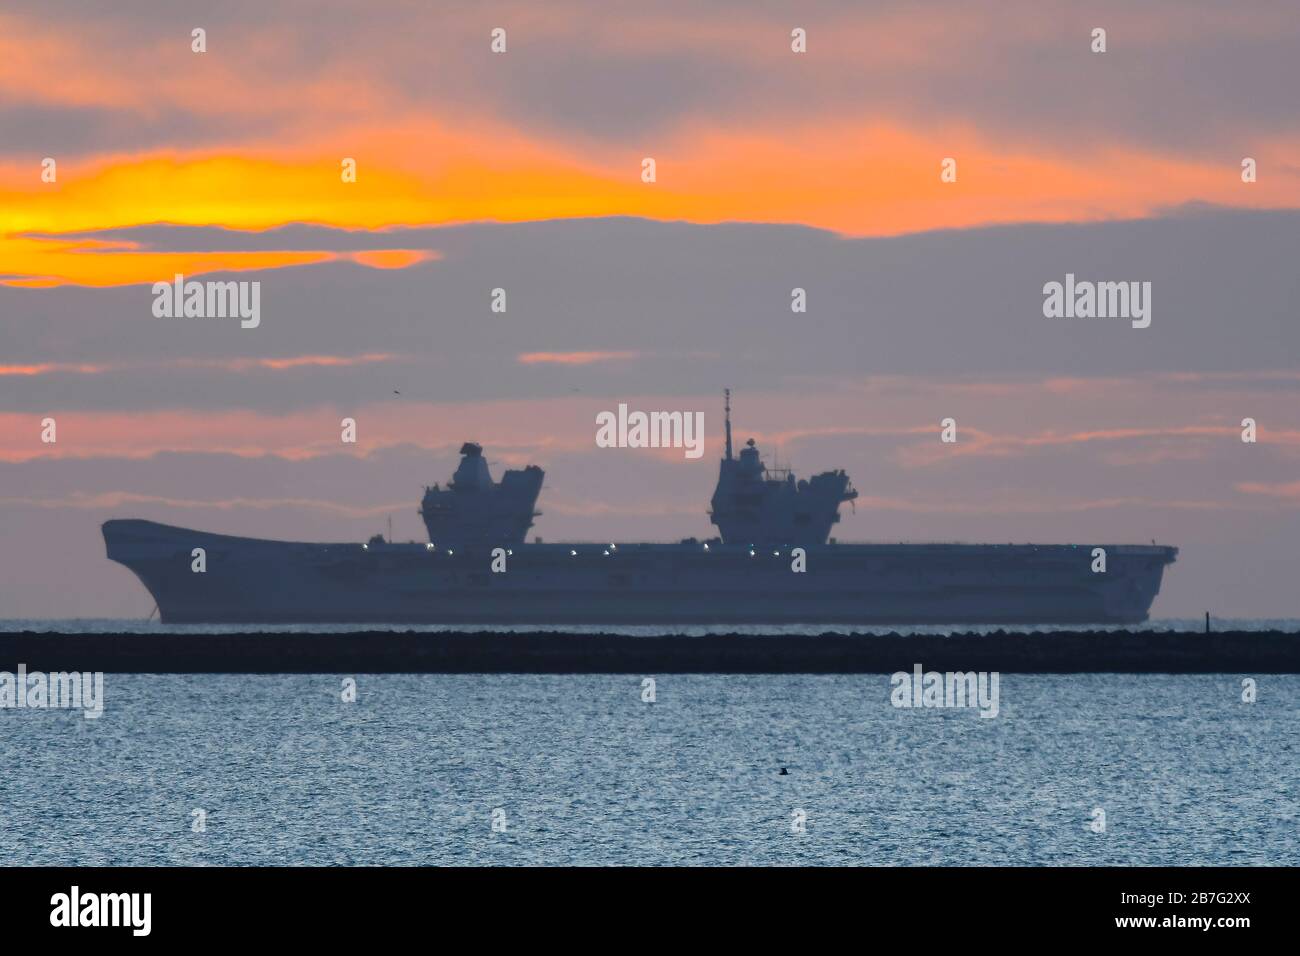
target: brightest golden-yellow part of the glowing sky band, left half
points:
(244, 193)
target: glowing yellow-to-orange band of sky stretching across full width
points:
(852, 180)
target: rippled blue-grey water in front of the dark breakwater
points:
(582, 771)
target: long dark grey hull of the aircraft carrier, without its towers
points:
(252, 581)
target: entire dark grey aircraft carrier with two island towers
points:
(773, 563)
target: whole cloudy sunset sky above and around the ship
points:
(774, 171)
